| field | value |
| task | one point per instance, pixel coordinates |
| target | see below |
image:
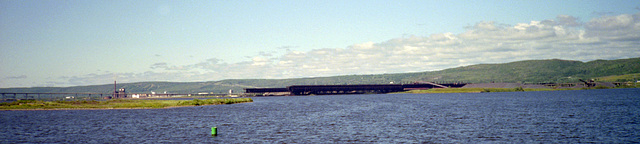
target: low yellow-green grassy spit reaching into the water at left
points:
(114, 104)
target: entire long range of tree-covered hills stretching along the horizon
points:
(529, 71)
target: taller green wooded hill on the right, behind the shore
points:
(533, 71)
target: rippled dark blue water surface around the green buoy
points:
(583, 116)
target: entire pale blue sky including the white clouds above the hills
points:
(60, 43)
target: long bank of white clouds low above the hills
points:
(565, 37)
